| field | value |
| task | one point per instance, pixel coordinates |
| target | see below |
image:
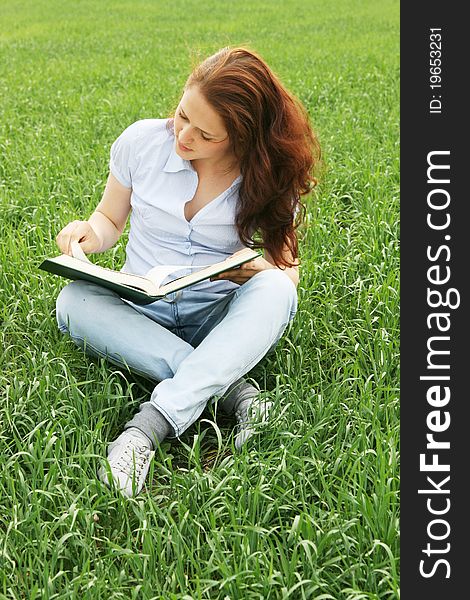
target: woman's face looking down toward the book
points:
(200, 132)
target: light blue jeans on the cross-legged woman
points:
(195, 345)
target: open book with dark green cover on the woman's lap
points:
(137, 288)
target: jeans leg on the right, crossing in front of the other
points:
(255, 319)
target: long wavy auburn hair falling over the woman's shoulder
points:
(273, 141)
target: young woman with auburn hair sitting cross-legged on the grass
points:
(230, 166)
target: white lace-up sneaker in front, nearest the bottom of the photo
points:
(129, 459)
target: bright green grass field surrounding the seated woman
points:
(311, 508)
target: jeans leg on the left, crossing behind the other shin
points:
(99, 321)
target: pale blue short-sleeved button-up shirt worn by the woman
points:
(144, 158)
